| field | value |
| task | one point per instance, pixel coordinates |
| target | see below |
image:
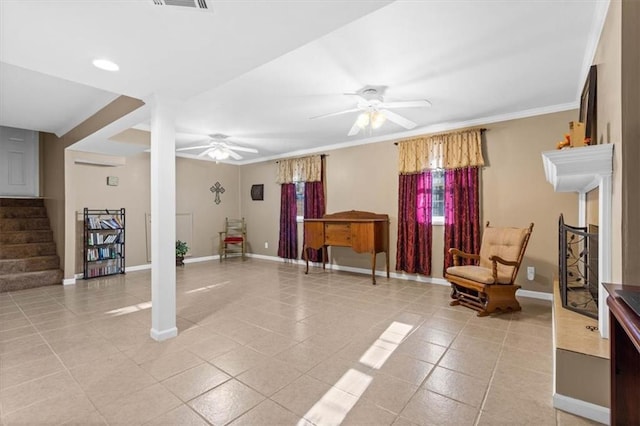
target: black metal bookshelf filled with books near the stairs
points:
(103, 242)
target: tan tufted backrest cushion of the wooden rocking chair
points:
(505, 243)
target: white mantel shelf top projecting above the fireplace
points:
(578, 169)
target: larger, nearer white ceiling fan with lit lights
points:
(374, 111)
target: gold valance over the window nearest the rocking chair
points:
(447, 150)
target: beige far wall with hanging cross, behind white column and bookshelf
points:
(88, 188)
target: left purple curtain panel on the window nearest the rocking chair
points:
(413, 252)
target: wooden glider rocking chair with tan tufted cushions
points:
(490, 284)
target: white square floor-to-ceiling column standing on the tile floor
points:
(163, 219)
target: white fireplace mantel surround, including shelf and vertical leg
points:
(581, 170)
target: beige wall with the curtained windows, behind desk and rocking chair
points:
(515, 193)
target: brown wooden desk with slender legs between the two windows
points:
(364, 232)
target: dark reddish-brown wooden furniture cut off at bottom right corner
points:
(624, 338)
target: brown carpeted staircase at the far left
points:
(28, 256)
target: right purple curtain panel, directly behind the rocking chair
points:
(461, 212)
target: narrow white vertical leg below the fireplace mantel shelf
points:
(604, 251)
